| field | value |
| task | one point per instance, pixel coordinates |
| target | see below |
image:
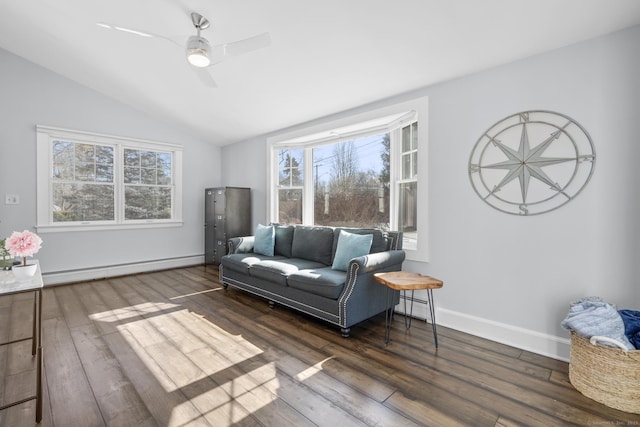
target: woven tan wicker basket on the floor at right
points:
(606, 374)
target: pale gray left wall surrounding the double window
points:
(31, 95)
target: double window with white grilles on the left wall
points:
(92, 181)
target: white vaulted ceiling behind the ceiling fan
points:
(326, 56)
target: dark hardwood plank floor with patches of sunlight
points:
(174, 348)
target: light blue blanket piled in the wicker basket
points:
(592, 316)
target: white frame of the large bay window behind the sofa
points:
(359, 123)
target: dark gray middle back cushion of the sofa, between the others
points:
(313, 243)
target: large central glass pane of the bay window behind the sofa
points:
(351, 182)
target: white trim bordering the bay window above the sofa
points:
(325, 131)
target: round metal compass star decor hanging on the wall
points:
(531, 162)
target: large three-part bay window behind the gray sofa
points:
(359, 172)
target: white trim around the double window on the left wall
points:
(45, 224)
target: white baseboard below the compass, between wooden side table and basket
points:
(525, 339)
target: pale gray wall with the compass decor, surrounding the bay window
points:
(512, 278)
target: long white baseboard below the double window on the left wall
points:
(94, 273)
